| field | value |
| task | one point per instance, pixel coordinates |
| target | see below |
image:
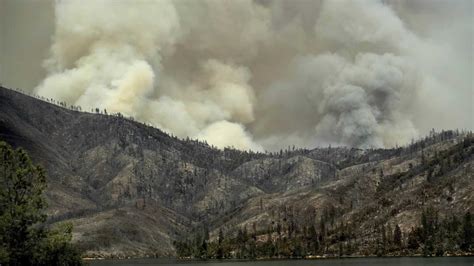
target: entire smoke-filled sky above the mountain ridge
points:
(261, 74)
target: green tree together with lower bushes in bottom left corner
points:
(24, 240)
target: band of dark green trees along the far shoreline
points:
(433, 237)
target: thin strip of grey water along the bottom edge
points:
(458, 261)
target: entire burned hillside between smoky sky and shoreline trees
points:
(132, 190)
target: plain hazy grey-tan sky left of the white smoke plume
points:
(26, 28)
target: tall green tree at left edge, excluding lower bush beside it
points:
(21, 188)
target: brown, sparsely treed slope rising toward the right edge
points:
(364, 197)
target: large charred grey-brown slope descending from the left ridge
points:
(106, 168)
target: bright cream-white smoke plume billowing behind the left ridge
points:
(108, 54)
